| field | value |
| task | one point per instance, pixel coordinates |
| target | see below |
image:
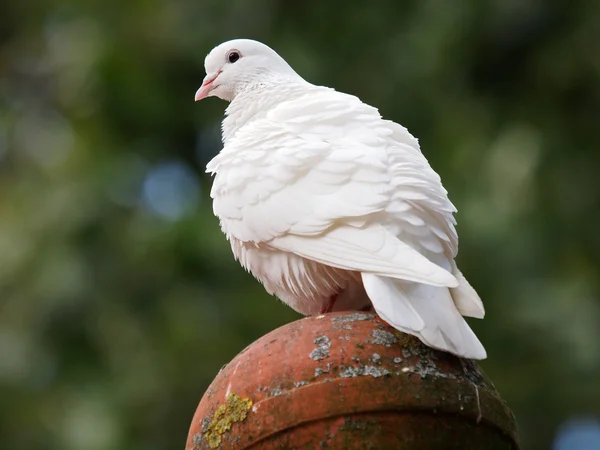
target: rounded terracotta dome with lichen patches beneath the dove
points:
(349, 381)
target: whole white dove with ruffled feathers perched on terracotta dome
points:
(331, 206)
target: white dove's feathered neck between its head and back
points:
(255, 102)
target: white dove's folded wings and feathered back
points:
(324, 177)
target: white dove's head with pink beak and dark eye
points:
(241, 64)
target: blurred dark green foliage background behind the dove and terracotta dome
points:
(119, 297)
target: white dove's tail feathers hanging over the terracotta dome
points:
(433, 314)
